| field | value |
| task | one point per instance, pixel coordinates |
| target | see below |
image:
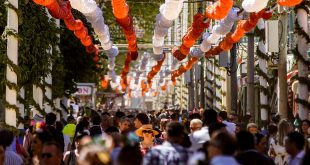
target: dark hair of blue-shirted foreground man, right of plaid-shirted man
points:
(225, 143)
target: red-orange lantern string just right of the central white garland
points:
(198, 26)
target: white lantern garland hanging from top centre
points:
(169, 11)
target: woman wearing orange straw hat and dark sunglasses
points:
(148, 134)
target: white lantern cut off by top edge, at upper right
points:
(254, 5)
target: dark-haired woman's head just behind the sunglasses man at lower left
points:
(37, 141)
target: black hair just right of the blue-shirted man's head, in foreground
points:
(245, 140)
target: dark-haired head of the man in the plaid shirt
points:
(175, 132)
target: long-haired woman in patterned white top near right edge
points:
(276, 146)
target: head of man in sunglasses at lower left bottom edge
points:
(51, 154)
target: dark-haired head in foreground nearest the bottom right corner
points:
(294, 143)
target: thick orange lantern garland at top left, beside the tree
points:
(63, 11)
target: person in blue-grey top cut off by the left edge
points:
(11, 157)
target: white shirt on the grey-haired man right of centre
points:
(198, 138)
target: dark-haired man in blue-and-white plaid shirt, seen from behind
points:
(171, 151)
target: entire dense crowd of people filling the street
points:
(165, 137)
